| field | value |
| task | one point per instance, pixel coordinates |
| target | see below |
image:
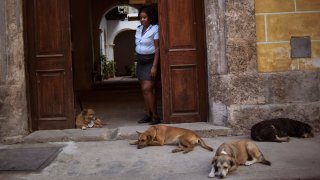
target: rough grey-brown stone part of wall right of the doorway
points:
(240, 94)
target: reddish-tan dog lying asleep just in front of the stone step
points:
(159, 135)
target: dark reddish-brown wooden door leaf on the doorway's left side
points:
(49, 64)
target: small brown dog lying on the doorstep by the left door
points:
(86, 119)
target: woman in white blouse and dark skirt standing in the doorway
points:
(147, 52)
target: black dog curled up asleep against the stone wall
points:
(279, 130)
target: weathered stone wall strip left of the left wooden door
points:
(13, 103)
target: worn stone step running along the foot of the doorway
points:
(121, 133)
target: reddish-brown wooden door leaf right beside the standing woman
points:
(183, 67)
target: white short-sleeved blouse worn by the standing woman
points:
(145, 42)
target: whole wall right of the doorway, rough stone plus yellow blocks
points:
(255, 80)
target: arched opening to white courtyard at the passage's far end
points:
(117, 29)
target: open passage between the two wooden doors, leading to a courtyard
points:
(115, 92)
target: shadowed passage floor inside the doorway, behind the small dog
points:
(118, 105)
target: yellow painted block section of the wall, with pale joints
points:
(276, 22)
